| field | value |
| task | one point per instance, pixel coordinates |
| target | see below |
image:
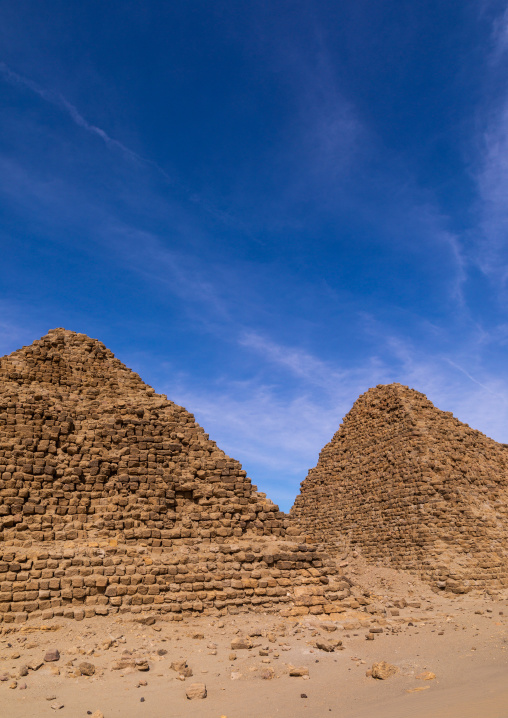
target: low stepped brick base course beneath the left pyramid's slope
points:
(81, 581)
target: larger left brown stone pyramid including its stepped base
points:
(113, 498)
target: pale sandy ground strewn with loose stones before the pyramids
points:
(462, 641)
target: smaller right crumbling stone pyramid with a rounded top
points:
(412, 486)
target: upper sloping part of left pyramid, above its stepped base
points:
(88, 447)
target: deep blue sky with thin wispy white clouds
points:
(263, 208)
